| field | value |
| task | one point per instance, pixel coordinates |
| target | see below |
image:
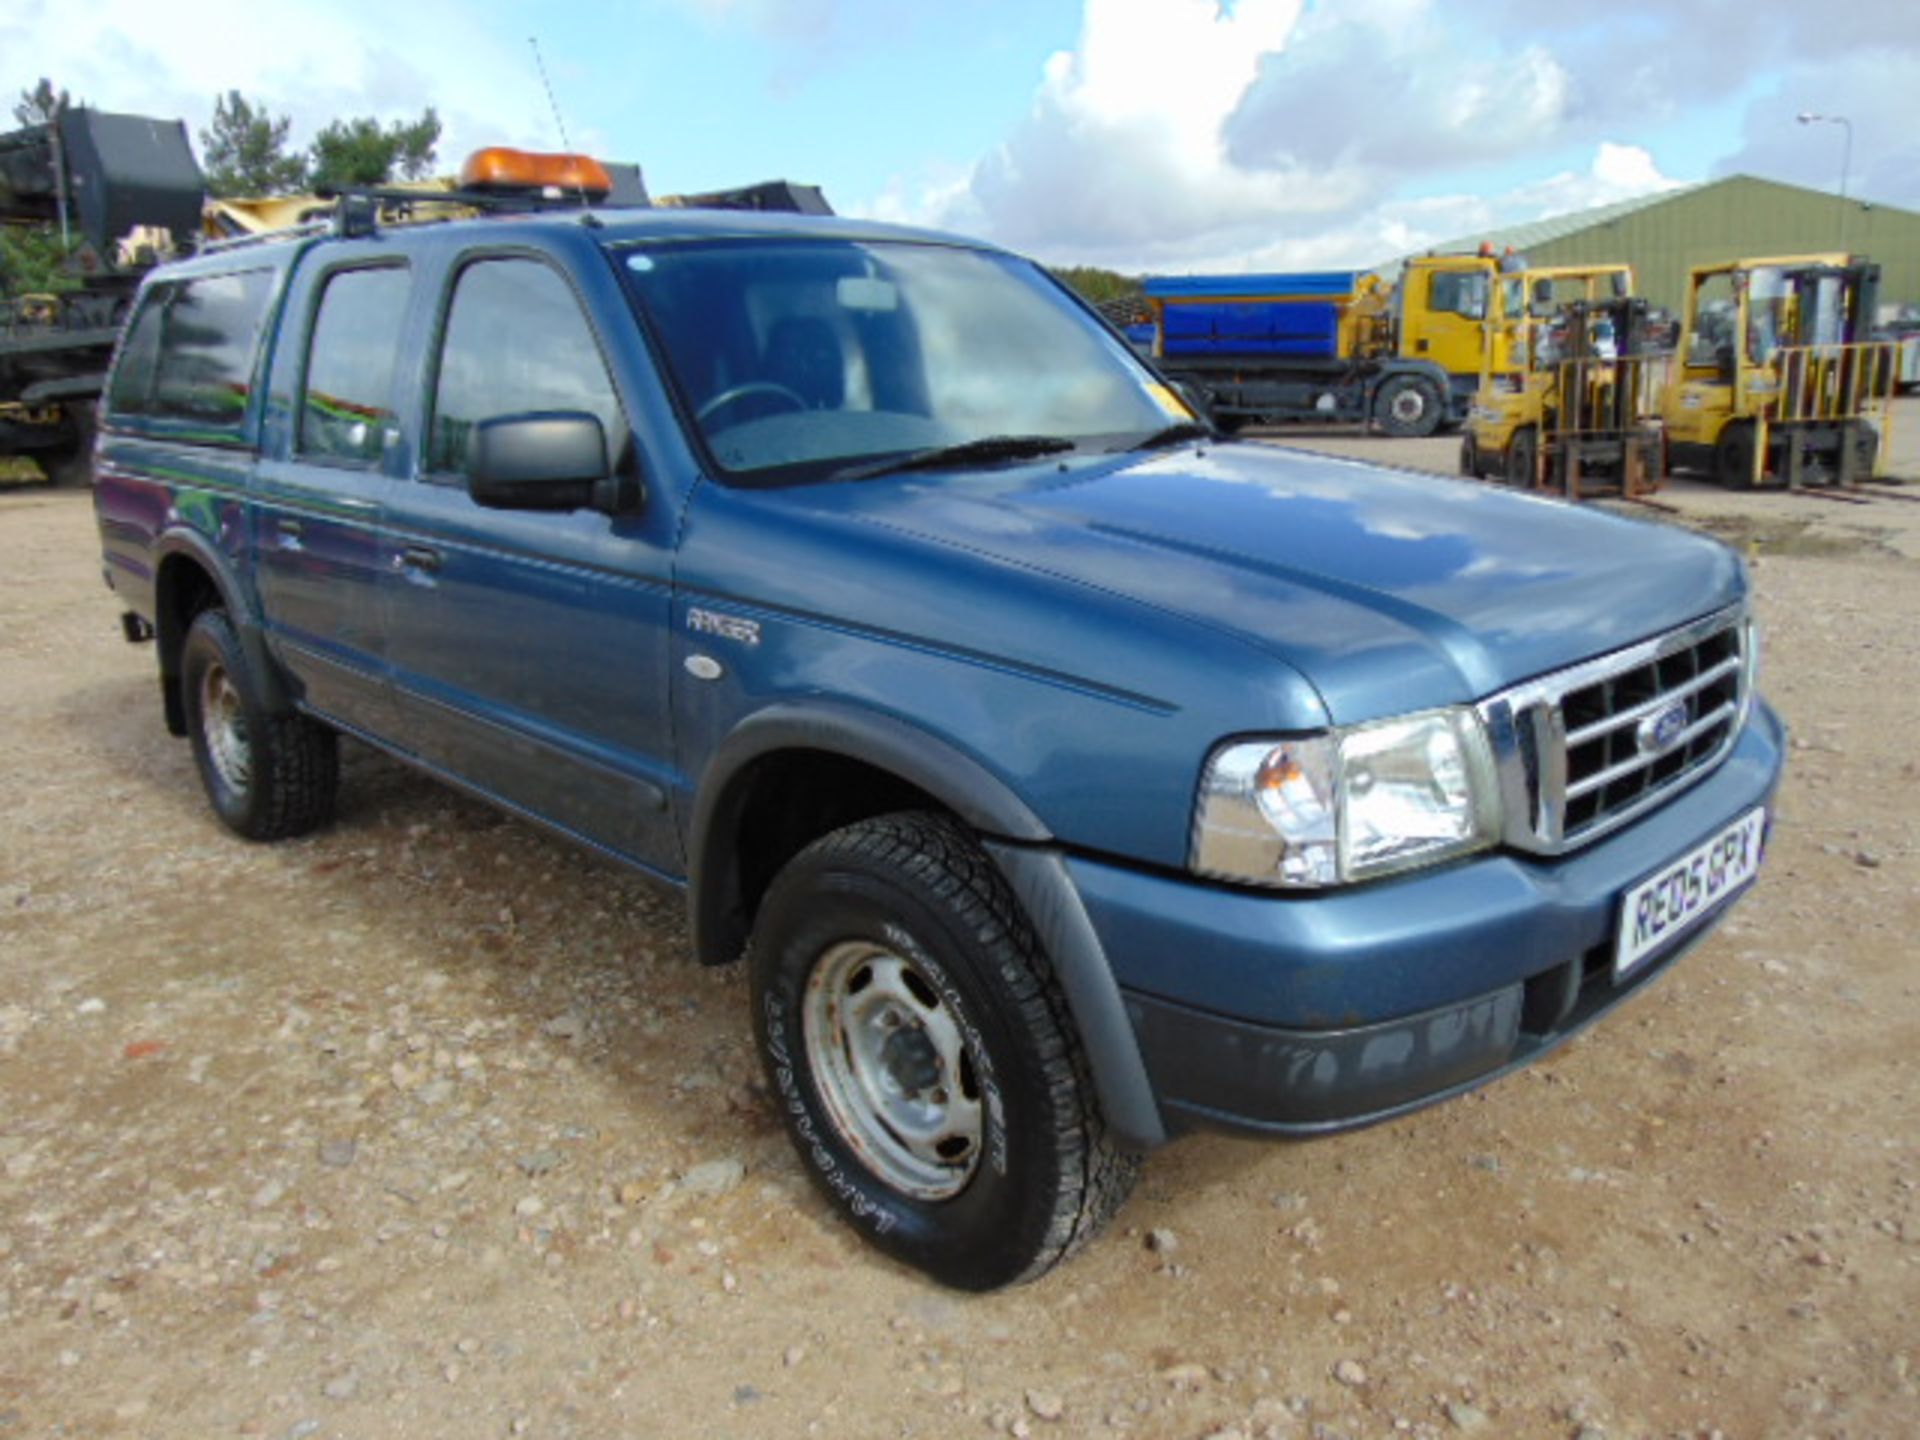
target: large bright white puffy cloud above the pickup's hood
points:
(1188, 135)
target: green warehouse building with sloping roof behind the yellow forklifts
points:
(1669, 233)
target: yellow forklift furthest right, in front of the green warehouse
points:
(1775, 379)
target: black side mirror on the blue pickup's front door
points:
(544, 462)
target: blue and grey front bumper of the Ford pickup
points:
(1310, 1015)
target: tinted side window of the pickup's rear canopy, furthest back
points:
(191, 354)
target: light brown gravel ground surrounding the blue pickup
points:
(429, 1126)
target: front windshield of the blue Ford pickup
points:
(804, 360)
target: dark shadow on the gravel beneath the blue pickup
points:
(590, 959)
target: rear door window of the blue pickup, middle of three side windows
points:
(350, 366)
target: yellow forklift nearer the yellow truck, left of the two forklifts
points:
(1568, 391)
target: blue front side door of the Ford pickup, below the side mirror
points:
(529, 648)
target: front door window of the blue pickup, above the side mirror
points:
(516, 343)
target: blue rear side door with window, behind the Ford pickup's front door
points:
(331, 452)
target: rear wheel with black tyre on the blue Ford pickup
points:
(268, 777)
